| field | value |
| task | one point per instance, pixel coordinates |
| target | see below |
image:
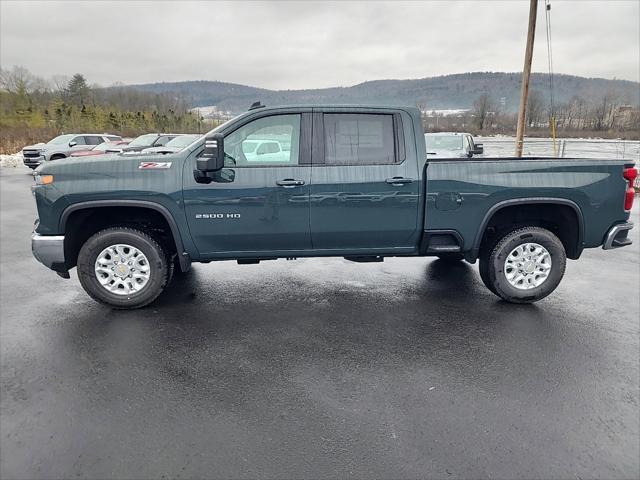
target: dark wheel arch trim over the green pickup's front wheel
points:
(183, 257)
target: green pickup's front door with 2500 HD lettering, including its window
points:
(259, 203)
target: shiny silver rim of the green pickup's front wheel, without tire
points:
(122, 269)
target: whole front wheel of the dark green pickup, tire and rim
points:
(123, 267)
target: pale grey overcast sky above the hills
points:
(291, 45)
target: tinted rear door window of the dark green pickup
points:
(359, 139)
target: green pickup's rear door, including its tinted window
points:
(365, 184)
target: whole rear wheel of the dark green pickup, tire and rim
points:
(525, 265)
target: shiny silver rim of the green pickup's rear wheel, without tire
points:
(527, 266)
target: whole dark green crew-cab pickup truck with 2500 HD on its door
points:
(355, 182)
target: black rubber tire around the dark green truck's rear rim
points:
(492, 265)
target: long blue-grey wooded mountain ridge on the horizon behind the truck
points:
(443, 92)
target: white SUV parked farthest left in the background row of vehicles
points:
(62, 146)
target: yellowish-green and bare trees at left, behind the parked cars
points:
(34, 109)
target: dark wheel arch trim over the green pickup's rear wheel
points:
(539, 201)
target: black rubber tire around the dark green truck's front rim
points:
(158, 263)
